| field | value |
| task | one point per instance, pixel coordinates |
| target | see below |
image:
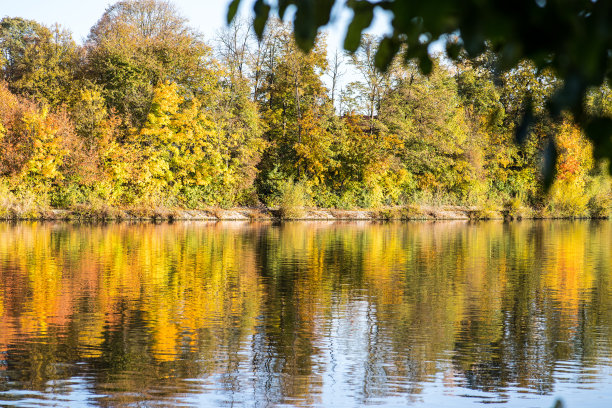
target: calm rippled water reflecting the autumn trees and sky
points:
(306, 314)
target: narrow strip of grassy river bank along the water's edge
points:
(404, 213)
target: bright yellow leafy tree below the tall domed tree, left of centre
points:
(186, 152)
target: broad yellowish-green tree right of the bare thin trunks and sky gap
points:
(426, 115)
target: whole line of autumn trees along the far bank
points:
(145, 113)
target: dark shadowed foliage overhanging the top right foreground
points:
(573, 38)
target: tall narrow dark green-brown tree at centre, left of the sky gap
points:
(295, 107)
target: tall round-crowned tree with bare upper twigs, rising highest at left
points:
(139, 44)
